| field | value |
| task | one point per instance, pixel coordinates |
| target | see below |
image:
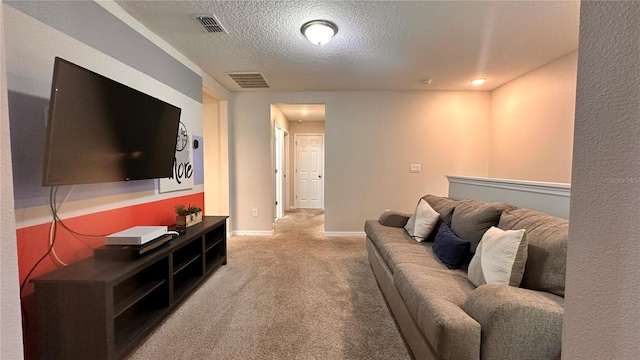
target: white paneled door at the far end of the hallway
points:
(309, 171)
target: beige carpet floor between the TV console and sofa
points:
(294, 295)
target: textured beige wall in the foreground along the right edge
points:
(602, 303)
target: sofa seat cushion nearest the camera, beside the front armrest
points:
(434, 298)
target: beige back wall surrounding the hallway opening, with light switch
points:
(370, 140)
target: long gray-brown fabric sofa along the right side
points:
(442, 315)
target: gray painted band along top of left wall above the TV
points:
(90, 23)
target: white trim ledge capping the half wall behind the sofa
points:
(536, 187)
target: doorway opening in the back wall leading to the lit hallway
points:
(298, 158)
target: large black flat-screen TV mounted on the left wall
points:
(100, 130)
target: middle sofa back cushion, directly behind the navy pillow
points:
(472, 218)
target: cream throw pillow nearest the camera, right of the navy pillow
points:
(500, 258)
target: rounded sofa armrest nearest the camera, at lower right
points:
(517, 323)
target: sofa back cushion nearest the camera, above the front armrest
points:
(547, 253)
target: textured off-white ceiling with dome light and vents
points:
(380, 45)
